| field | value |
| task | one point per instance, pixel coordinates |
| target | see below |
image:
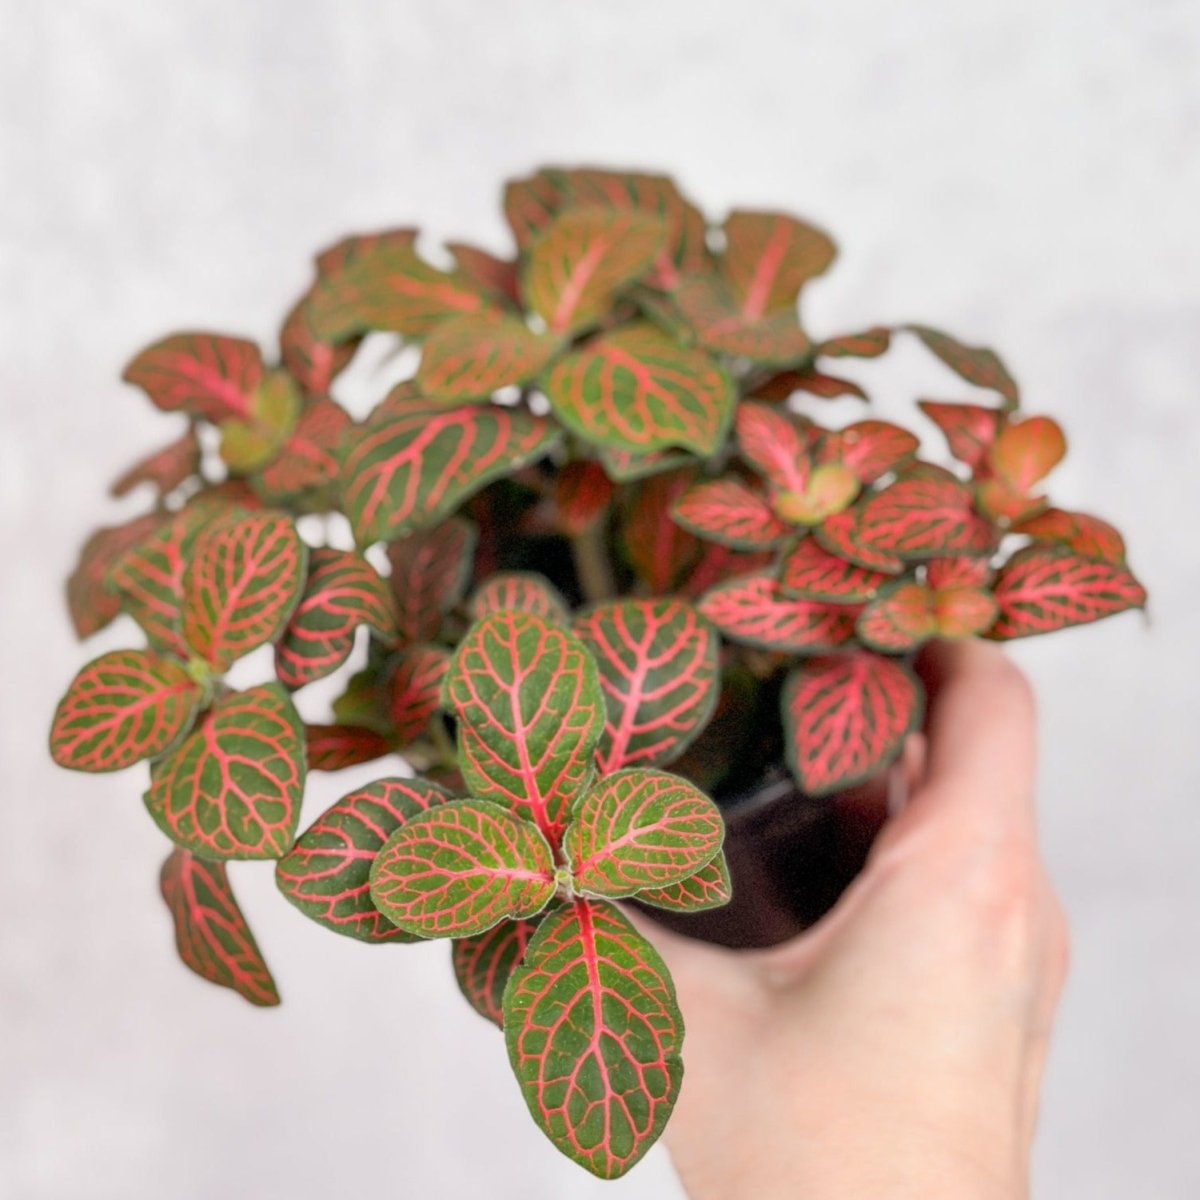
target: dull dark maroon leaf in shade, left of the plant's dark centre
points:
(430, 571)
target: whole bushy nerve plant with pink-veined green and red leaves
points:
(623, 566)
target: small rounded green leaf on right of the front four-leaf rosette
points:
(640, 830)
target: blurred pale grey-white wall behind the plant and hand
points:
(1023, 175)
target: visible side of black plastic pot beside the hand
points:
(791, 856)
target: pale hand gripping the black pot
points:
(897, 1048)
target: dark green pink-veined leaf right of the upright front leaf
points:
(659, 674)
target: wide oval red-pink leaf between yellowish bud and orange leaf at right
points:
(925, 519)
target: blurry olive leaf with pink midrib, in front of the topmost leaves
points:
(583, 260)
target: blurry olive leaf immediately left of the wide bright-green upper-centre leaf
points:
(470, 358)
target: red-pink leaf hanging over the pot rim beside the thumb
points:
(847, 717)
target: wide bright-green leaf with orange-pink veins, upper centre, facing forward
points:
(638, 389)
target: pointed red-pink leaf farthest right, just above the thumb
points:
(1045, 589)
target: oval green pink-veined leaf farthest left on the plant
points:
(122, 709)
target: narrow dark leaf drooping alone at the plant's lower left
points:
(212, 934)
